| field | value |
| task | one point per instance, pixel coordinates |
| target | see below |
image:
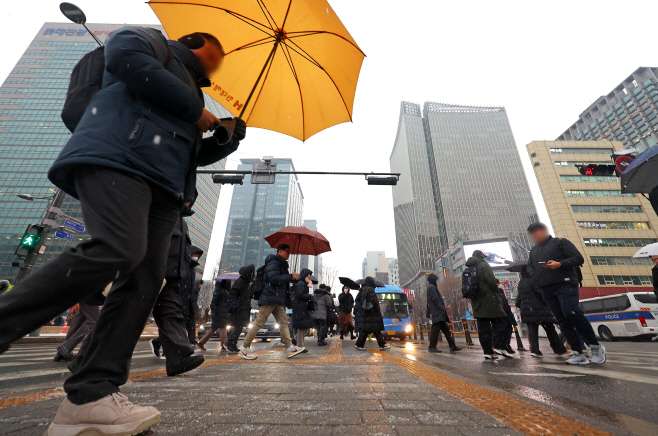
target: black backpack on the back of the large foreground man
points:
(86, 81)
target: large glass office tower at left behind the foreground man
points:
(32, 135)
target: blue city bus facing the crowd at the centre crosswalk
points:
(396, 311)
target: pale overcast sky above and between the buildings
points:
(544, 61)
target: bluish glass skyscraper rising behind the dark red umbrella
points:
(257, 211)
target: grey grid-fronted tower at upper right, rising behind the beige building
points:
(628, 113)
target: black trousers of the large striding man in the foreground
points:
(130, 223)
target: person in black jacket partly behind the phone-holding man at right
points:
(534, 312)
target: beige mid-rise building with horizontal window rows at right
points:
(606, 226)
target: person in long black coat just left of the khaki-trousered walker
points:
(240, 296)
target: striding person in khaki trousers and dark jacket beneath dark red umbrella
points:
(272, 301)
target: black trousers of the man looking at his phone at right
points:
(565, 305)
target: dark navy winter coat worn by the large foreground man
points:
(142, 120)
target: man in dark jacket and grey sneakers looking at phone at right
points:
(553, 265)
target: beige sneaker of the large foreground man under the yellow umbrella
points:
(111, 415)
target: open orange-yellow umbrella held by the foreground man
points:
(291, 66)
